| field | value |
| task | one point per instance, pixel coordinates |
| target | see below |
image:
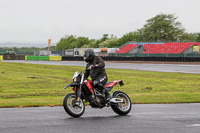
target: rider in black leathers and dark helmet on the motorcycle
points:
(97, 72)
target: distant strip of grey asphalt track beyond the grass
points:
(180, 68)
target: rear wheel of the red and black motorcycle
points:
(121, 108)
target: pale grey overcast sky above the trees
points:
(39, 20)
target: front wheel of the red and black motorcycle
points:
(71, 106)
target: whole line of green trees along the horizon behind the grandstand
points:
(161, 28)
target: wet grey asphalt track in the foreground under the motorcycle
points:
(144, 118)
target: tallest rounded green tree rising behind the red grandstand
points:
(162, 27)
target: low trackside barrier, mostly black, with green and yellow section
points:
(106, 58)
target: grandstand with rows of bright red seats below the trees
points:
(159, 48)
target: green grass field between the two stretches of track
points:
(25, 85)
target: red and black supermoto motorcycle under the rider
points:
(74, 103)
